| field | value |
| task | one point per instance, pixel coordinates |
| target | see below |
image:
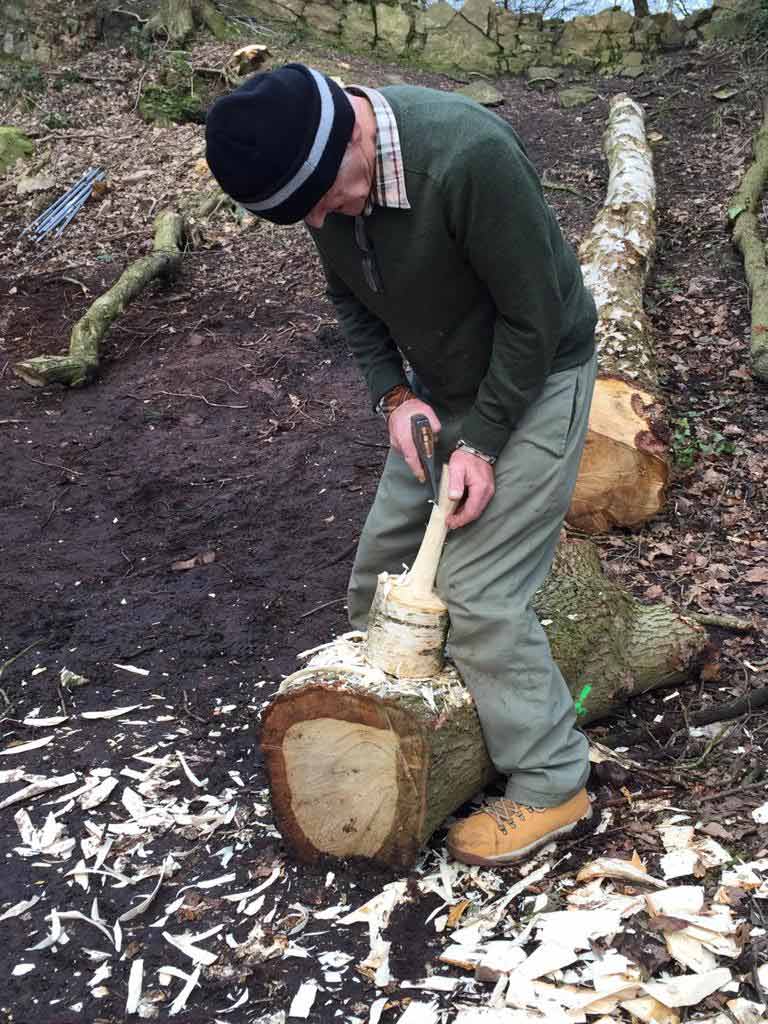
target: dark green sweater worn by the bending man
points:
(482, 294)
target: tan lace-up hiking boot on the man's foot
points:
(504, 832)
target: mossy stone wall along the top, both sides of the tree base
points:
(480, 37)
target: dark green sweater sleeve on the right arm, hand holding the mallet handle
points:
(498, 215)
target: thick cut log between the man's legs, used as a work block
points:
(364, 764)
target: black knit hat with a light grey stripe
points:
(276, 144)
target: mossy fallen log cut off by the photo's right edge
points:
(744, 218)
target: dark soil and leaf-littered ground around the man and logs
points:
(229, 422)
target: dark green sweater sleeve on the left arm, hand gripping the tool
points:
(368, 336)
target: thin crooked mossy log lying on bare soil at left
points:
(80, 365)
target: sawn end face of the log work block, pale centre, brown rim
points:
(348, 774)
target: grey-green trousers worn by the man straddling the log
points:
(488, 577)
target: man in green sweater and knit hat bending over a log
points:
(440, 249)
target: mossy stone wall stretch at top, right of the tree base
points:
(485, 38)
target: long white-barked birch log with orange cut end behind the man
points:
(625, 471)
